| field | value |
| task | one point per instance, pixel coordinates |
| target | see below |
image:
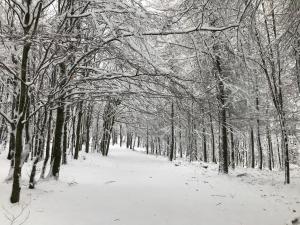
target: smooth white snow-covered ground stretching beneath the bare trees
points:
(131, 188)
